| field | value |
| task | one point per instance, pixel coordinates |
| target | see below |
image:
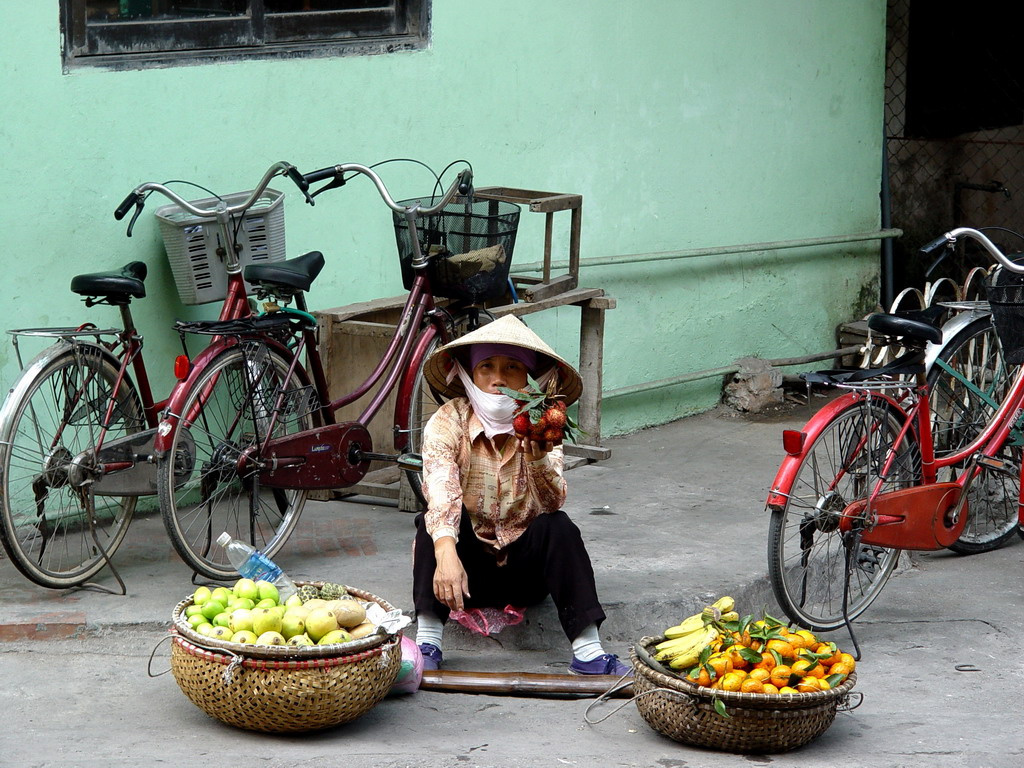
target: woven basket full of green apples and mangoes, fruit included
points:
(322, 661)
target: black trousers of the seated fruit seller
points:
(549, 559)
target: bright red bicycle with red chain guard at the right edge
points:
(904, 459)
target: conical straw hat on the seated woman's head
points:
(507, 330)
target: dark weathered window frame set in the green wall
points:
(397, 25)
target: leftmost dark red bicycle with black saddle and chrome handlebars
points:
(78, 426)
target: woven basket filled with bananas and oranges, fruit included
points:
(744, 685)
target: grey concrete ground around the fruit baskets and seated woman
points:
(674, 519)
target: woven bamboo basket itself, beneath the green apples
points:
(285, 689)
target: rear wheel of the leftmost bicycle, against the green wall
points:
(54, 414)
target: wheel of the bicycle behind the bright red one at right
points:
(959, 415)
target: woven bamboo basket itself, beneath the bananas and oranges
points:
(759, 723)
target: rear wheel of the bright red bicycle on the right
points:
(806, 546)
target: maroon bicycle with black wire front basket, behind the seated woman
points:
(251, 426)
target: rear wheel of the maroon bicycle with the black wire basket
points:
(202, 494)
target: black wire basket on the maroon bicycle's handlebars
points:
(470, 243)
